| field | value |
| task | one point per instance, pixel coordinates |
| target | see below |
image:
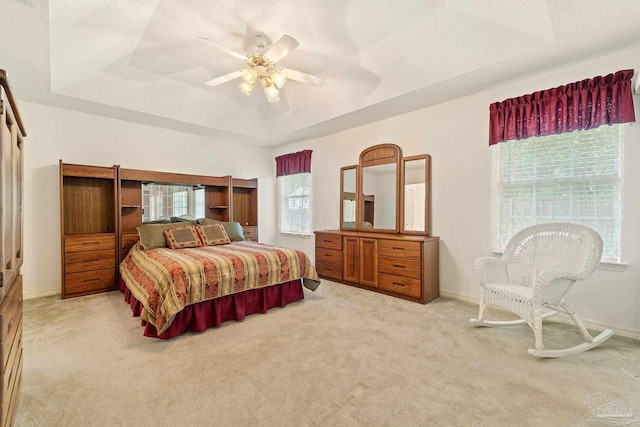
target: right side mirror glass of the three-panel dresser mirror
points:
(415, 193)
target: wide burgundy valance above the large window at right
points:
(582, 105)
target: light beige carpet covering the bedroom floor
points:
(341, 357)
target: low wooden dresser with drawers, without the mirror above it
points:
(404, 266)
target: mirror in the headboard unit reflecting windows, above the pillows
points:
(163, 201)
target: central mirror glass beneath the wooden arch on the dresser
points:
(379, 196)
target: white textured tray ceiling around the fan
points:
(141, 60)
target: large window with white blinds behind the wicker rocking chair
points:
(570, 177)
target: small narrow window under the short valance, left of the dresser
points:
(295, 209)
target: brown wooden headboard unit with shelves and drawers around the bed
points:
(101, 208)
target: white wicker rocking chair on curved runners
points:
(537, 269)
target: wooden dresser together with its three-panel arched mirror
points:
(383, 243)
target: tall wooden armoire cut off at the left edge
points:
(12, 136)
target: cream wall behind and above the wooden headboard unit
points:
(54, 134)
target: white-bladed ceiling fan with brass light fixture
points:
(263, 67)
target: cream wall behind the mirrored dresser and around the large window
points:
(455, 134)
